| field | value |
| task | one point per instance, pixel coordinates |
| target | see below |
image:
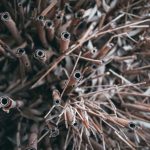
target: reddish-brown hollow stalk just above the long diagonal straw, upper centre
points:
(64, 41)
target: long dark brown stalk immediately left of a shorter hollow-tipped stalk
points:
(41, 31)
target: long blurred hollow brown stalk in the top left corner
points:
(11, 25)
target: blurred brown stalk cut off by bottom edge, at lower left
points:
(33, 138)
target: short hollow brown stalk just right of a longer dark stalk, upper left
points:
(49, 30)
